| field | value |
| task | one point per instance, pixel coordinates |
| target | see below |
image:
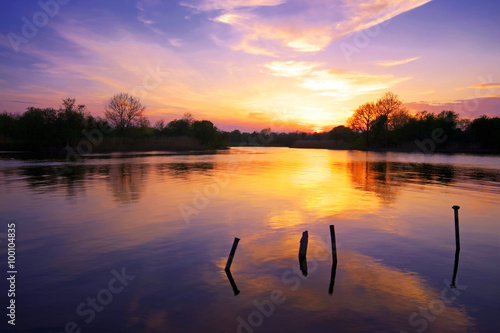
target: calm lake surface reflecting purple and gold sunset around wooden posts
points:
(138, 243)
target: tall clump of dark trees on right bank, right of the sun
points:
(387, 123)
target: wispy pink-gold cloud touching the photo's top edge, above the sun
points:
(309, 30)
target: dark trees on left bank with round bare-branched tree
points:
(49, 129)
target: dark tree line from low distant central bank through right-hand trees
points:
(386, 124)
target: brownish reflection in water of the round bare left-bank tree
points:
(127, 180)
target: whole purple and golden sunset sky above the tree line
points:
(252, 64)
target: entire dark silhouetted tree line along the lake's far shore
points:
(382, 124)
